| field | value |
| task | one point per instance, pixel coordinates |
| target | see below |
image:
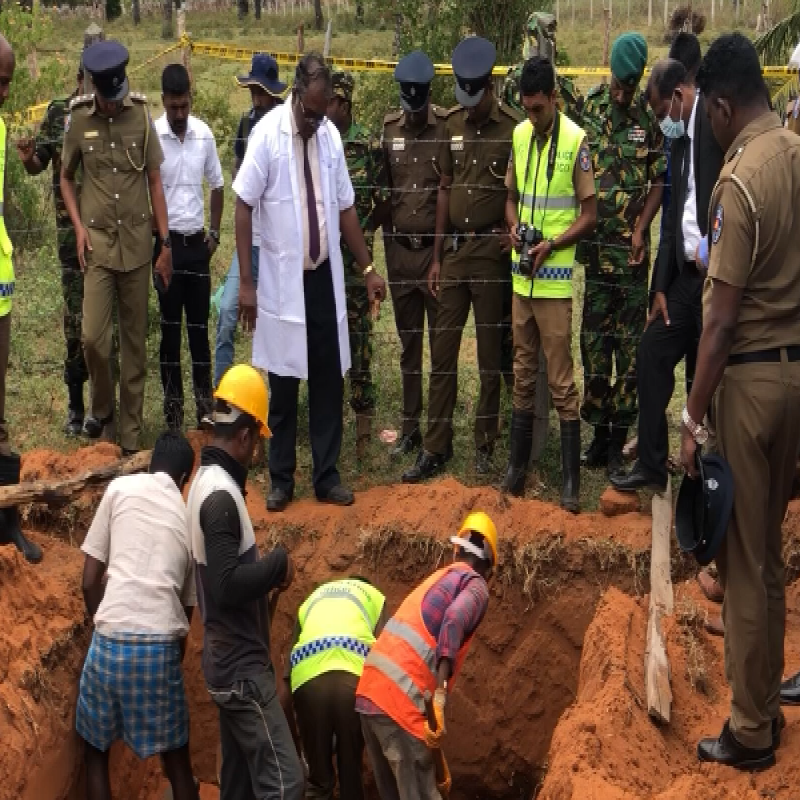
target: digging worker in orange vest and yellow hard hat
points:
(421, 649)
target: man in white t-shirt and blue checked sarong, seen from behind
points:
(138, 584)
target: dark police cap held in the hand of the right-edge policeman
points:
(704, 509)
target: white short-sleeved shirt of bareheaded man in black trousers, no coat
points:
(185, 165)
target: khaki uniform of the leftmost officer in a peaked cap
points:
(116, 155)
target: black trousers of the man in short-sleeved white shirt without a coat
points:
(189, 292)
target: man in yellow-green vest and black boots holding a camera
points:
(551, 193)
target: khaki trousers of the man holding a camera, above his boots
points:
(537, 321)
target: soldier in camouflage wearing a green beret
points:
(629, 165)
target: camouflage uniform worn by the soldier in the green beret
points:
(628, 154)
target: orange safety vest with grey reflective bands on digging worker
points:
(402, 662)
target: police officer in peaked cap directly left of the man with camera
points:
(470, 256)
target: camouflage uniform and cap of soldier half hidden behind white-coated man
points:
(364, 163)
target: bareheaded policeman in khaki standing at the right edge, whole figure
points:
(750, 351)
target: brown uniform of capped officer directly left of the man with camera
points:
(474, 270)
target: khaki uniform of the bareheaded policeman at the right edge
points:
(754, 209)
